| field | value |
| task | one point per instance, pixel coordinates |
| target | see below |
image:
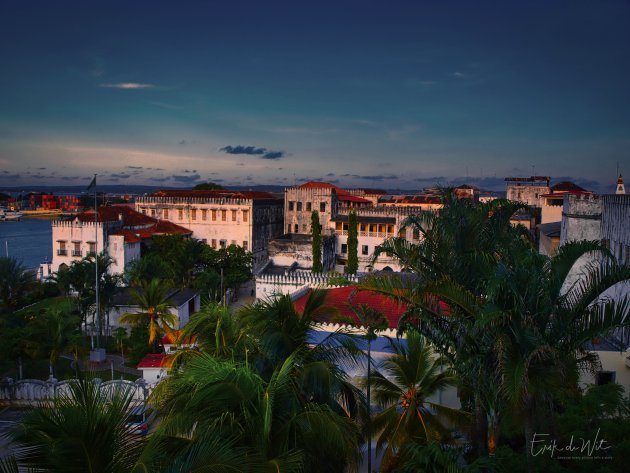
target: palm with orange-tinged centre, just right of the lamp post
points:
(402, 388)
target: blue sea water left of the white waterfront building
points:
(29, 240)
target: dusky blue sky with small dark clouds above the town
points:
(399, 94)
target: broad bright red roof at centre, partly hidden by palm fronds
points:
(339, 298)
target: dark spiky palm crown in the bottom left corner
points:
(84, 430)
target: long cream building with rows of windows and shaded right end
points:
(221, 218)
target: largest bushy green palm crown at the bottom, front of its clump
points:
(264, 425)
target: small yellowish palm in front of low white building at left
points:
(154, 310)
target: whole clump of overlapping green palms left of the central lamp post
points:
(258, 397)
